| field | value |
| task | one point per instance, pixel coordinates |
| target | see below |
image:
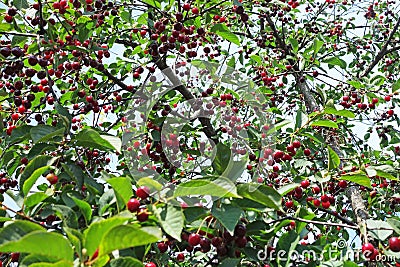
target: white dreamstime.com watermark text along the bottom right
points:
(337, 252)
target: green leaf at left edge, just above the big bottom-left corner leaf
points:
(18, 229)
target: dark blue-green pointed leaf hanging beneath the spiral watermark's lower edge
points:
(227, 215)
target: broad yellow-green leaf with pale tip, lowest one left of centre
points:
(126, 236)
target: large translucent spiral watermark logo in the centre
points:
(166, 136)
